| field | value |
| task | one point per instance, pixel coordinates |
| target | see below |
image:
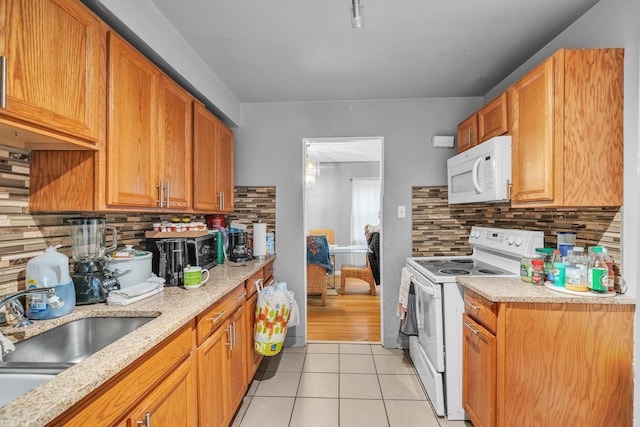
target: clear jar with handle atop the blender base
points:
(88, 239)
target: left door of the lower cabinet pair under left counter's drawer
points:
(213, 378)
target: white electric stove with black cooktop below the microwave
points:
(437, 350)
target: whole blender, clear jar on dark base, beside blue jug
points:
(91, 279)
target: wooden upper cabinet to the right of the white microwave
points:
(567, 134)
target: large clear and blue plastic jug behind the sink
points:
(50, 269)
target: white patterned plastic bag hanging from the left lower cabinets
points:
(273, 315)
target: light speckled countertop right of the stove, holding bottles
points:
(515, 290)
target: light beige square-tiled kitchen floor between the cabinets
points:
(338, 385)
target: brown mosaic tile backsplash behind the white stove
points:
(440, 229)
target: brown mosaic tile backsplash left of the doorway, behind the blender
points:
(24, 235)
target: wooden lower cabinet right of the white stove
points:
(551, 364)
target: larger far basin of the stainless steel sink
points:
(70, 343)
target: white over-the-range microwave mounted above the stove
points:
(481, 173)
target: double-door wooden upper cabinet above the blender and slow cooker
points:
(149, 134)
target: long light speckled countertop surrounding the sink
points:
(173, 308)
